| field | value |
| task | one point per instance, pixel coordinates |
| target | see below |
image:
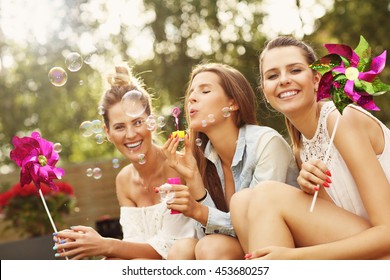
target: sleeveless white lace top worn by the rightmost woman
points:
(343, 190)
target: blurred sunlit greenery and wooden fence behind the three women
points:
(161, 40)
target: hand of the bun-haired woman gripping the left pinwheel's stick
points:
(80, 242)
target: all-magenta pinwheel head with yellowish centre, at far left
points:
(37, 159)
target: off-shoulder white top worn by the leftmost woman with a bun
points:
(156, 226)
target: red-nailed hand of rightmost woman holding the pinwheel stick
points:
(312, 175)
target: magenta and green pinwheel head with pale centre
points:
(350, 76)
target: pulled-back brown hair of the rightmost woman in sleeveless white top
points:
(309, 54)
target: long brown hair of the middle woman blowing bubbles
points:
(237, 87)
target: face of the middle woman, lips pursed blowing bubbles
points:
(206, 100)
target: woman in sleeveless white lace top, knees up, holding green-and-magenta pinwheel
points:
(351, 218)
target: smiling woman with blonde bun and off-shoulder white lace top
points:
(149, 230)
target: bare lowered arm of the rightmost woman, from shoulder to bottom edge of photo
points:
(355, 139)
